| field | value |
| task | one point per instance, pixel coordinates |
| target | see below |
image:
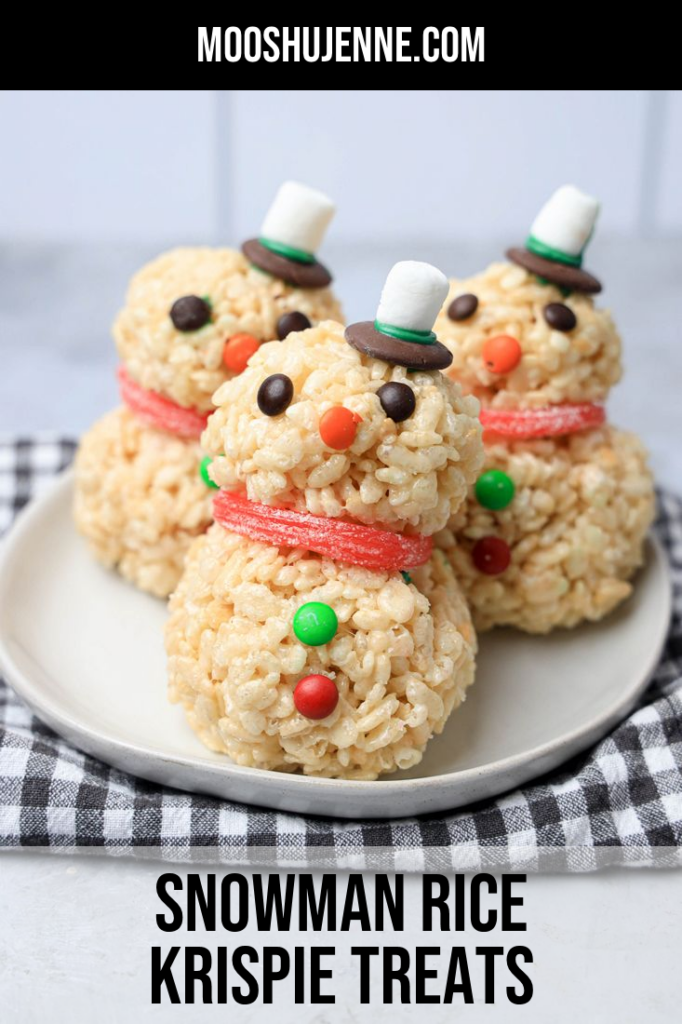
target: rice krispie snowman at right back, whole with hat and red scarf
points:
(557, 523)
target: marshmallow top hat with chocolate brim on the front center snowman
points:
(403, 333)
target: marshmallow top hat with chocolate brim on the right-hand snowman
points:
(560, 234)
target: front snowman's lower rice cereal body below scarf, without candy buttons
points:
(402, 660)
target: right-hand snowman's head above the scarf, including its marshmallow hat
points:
(528, 334)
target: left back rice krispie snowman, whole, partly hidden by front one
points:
(193, 320)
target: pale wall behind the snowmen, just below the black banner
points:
(444, 165)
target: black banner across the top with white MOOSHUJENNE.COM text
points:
(532, 50)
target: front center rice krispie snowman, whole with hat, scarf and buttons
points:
(314, 628)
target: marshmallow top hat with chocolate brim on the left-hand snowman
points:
(291, 234)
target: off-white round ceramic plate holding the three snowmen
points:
(86, 651)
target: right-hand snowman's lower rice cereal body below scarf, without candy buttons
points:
(576, 529)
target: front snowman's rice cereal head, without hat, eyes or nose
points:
(409, 477)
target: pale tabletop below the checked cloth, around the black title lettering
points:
(76, 935)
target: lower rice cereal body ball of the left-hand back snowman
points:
(140, 500)
